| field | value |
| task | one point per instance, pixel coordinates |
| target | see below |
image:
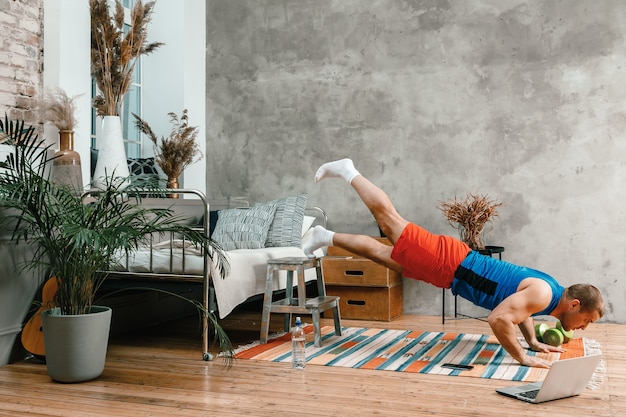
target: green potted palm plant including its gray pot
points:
(75, 239)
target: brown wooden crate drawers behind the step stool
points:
(367, 290)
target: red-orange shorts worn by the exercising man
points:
(428, 257)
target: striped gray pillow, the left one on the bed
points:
(244, 228)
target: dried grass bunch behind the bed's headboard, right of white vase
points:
(177, 151)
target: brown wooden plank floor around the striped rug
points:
(160, 373)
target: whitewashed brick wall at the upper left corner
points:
(21, 57)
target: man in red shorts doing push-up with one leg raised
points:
(513, 293)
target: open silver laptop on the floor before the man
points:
(566, 378)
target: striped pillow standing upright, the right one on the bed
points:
(286, 229)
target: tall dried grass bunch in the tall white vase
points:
(114, 51)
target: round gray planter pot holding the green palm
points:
(76, 346)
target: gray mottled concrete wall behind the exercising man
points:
(523, 101)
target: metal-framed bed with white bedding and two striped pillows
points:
(250, 236)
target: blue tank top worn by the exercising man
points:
(487, 281)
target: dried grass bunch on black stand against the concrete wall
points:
(470, 216)
